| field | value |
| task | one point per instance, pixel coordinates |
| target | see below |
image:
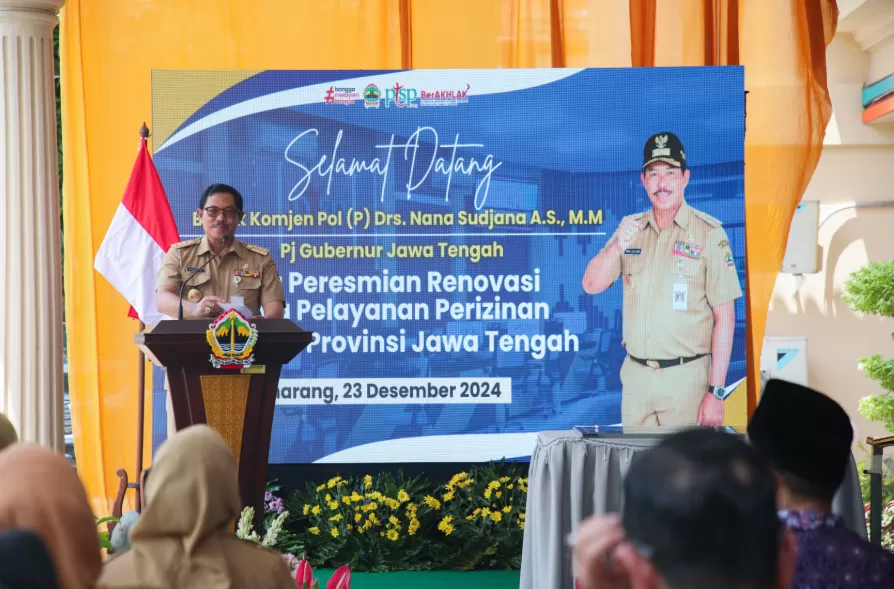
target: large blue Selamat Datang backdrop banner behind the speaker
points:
(433, 228)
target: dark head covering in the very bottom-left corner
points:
(25, 562)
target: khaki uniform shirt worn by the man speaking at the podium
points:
(244, 270)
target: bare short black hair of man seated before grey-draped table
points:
(704, 505)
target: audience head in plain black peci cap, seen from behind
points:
(807, 438)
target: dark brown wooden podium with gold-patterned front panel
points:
(238, 403)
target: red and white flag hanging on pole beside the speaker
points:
(140, 235)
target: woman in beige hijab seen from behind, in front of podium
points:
(183, 538)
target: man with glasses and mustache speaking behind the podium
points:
(212, 269)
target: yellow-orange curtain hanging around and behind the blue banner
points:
(109, 48)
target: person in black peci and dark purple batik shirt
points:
(807, 437)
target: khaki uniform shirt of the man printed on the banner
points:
(691, 257)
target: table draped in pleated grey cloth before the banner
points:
(572, 477)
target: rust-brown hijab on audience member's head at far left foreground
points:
(40, 491)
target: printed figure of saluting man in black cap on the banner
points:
(680, 286)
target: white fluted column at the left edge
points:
(31, 386)
